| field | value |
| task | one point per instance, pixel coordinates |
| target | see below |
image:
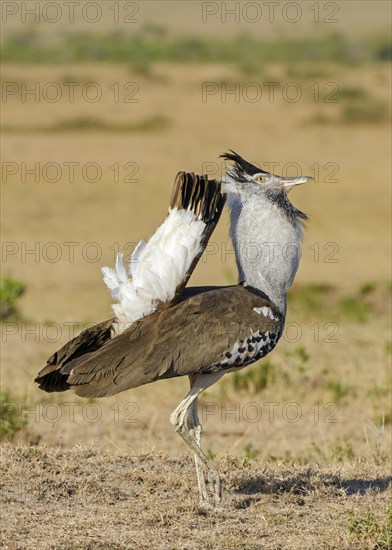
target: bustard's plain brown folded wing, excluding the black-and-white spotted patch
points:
(186, 338)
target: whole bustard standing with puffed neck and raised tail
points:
(163, 330)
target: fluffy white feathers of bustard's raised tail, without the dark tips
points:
(156, 268)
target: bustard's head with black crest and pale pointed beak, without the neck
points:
(247, 181)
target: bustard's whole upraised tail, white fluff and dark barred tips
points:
(159, 269)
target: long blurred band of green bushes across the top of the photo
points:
(156, 44)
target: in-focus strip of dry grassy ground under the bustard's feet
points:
(83, 498)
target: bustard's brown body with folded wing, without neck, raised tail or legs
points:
(207, 330)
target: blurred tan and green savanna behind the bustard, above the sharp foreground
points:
(102, 104)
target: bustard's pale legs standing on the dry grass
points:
(184, 422)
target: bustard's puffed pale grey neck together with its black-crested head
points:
(265, 227)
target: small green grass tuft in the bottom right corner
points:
(372, 529)
